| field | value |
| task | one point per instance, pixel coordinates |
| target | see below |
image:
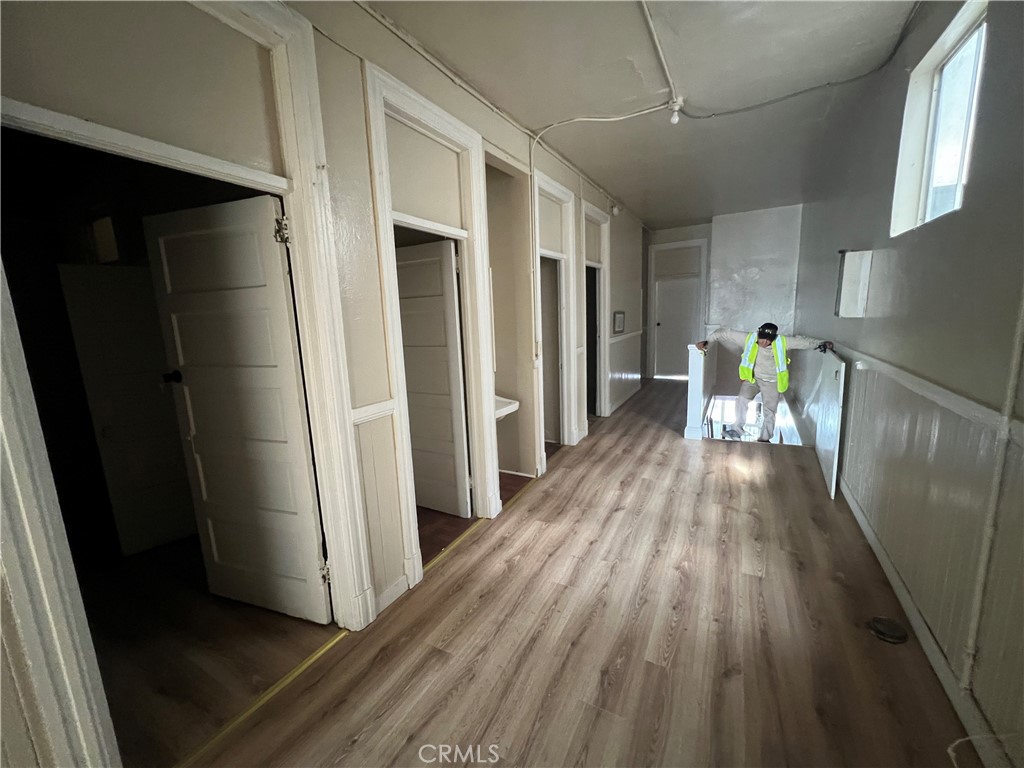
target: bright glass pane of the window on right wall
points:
(954, 116)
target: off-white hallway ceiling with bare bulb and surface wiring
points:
(547, 62)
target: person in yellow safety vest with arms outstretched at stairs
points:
(764, 367)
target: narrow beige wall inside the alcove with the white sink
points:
(511, 261)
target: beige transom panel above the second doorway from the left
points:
(424, 176)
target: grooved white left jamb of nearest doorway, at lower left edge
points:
(48, 622)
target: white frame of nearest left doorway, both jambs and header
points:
(48, 612)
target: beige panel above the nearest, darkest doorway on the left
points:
(167, 72)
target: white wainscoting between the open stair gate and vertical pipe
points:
(922, 475)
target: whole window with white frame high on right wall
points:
(938, 123)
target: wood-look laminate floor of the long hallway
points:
(651, 602)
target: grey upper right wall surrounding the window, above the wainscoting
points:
(954, 284)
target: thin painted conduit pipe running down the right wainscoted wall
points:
(992, 510)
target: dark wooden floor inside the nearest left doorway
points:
(179, 663)
